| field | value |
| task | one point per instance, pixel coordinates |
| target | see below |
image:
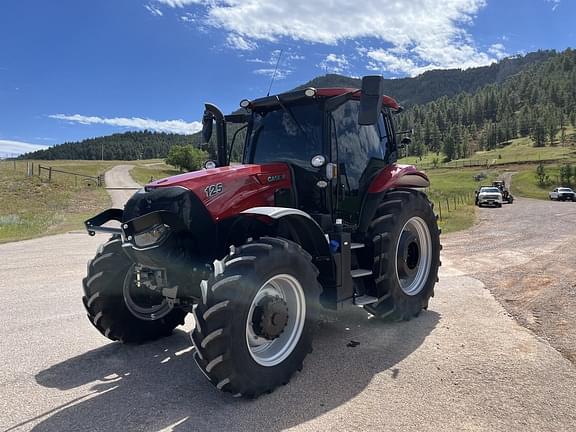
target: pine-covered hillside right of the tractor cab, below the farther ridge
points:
(538, 102)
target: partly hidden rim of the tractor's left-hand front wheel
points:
(147, 305)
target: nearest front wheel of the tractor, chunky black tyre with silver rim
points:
(255, 320)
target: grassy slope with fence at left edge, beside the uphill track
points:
(32, 207)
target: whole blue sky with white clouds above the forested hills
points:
(73, 69)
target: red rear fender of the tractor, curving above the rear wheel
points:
(392, 177)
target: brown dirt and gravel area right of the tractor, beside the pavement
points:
(525, 253)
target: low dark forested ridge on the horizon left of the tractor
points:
(121, 146)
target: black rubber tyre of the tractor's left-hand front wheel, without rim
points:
(104, 299)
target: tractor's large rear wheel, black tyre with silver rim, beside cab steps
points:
(406, 279)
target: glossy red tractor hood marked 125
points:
(243, 186)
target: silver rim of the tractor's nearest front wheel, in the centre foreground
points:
(281, 290)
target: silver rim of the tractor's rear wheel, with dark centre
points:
(413, 256)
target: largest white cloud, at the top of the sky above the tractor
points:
(413, 35)
